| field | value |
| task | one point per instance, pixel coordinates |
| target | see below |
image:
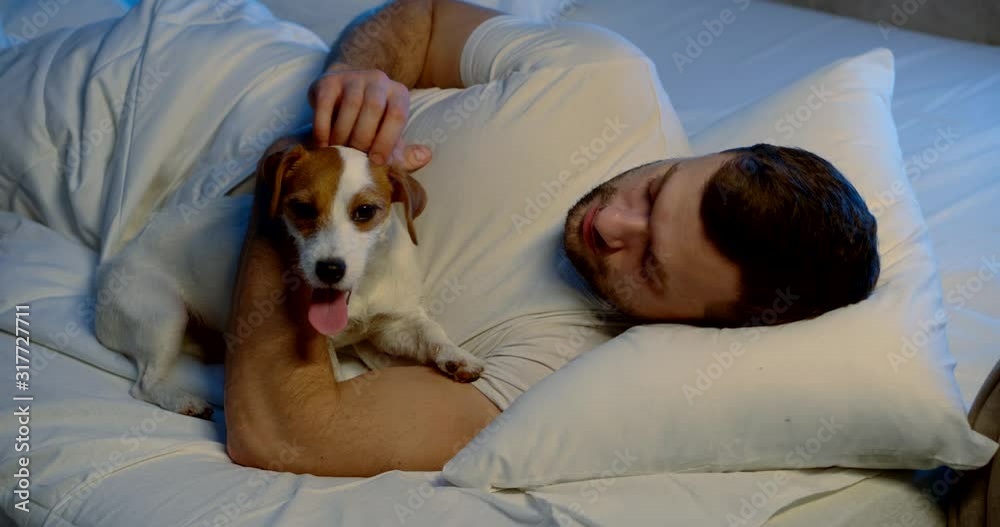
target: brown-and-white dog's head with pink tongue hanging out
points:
(336, 205)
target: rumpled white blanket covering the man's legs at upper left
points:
(113, 118)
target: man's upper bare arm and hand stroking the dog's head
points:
(363, 99)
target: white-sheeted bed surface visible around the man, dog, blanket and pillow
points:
(101, 458)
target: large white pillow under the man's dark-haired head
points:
(866, 386)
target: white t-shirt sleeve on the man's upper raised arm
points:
(504, 45)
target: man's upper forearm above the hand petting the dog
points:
(394, 38)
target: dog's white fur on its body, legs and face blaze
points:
(182, 268)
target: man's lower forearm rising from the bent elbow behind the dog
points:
(274, 364)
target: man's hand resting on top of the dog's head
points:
(366, 110)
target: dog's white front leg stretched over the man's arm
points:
(417, 337)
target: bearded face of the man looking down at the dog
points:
(638, 239)
